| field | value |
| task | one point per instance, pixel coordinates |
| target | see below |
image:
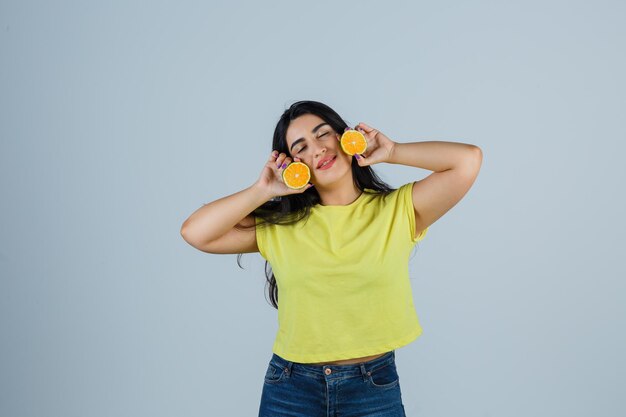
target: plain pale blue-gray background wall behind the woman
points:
(117, 121)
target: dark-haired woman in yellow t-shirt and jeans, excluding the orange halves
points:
(339, 250)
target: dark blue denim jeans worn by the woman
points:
(366, 389)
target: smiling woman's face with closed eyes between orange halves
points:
(311, 139)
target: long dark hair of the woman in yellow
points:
(292, 208)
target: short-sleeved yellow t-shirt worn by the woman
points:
(343, 278)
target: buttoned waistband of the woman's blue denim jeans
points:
(334, 371)
